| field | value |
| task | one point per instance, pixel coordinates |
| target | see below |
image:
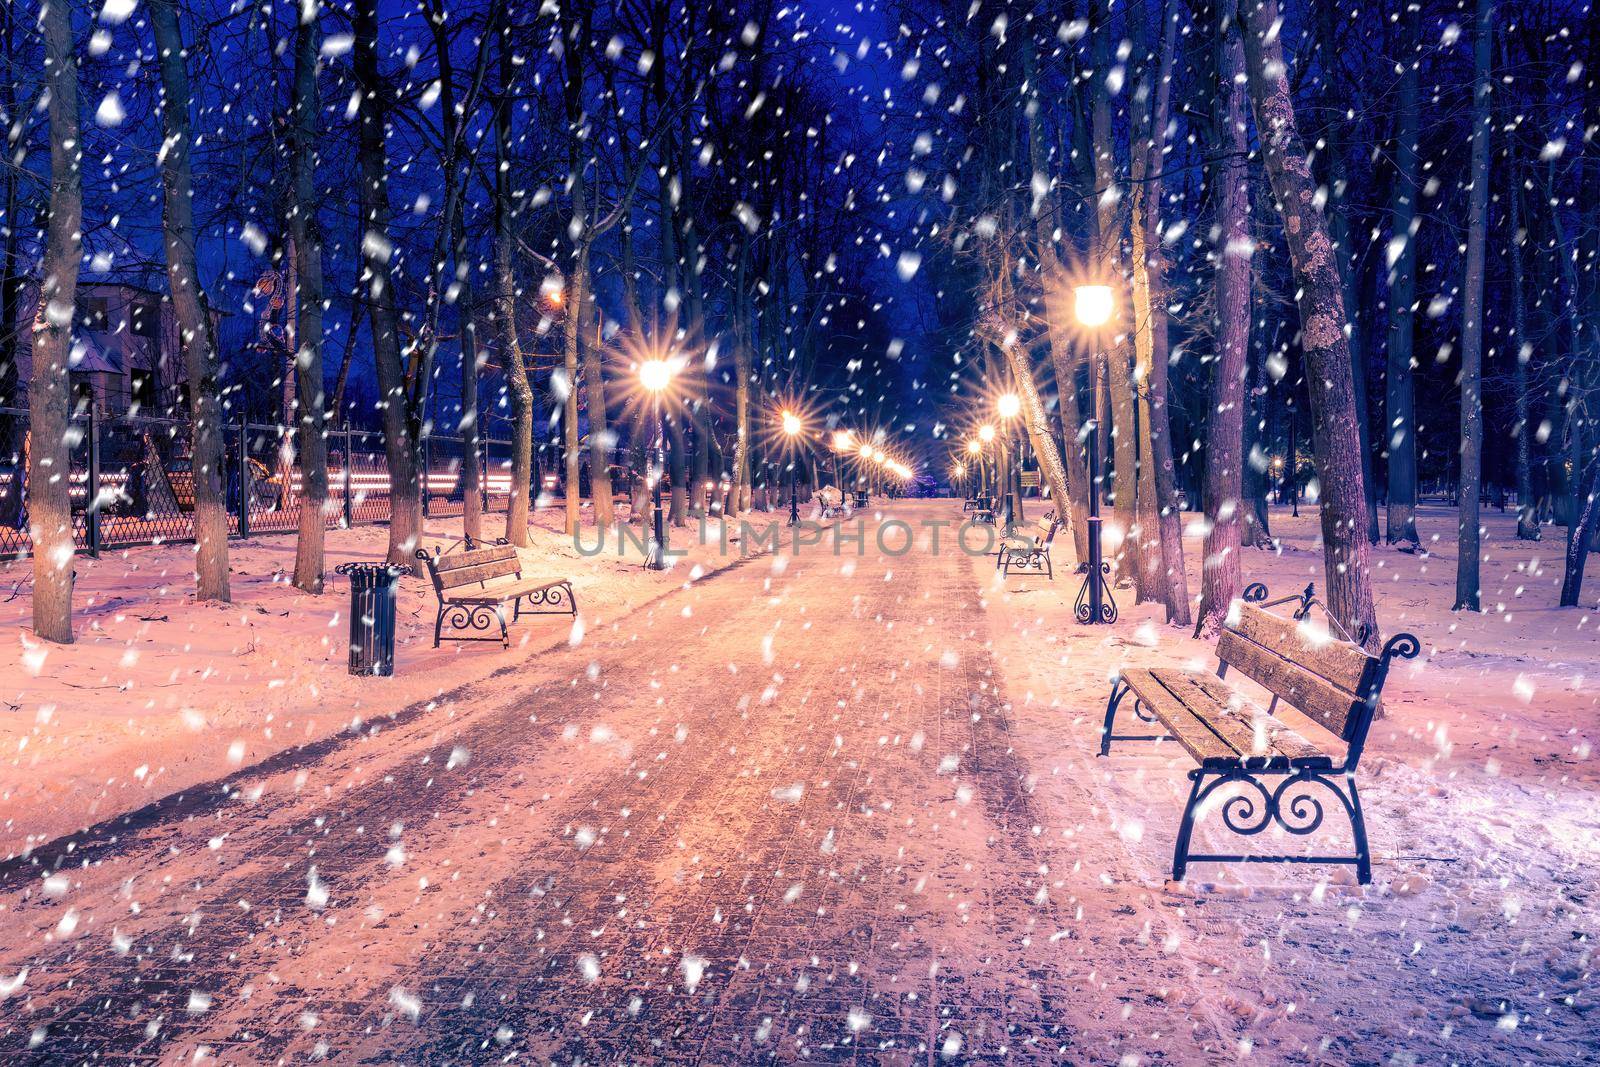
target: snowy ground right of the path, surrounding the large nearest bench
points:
(1479, 788)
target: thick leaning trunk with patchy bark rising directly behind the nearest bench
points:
(1327, 351)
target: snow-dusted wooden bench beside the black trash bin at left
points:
(476, 585)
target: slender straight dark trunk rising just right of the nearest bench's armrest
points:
(1468, 537)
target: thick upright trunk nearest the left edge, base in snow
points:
(50, 393)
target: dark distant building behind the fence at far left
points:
(126, 351)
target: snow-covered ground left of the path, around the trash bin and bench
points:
(161, 693)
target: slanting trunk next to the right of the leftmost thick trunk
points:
(194, 318)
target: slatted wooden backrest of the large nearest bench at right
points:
(1326, 679)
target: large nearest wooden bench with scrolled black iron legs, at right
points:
(1239, 743)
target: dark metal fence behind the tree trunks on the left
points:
(130, 479)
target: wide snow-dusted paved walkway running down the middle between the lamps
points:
(770, 817)
